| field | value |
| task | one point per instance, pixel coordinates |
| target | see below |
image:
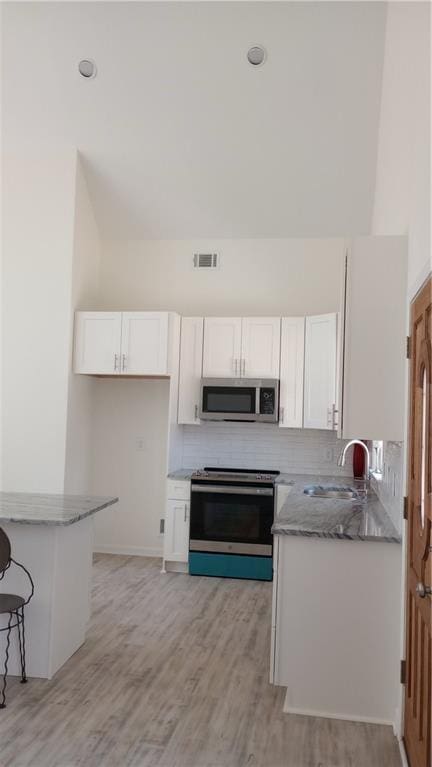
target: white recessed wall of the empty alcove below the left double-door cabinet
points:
(130, 426)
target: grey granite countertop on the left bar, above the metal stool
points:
(49, 509)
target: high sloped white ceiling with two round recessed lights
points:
(181, 136)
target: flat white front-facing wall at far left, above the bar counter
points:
(38, 219)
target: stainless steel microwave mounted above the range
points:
(239, 399)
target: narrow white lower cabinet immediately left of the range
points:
(176, 531)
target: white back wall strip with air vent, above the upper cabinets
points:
(280, 276)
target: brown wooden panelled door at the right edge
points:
(418, 691)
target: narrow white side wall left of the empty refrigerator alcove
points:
(84, 295)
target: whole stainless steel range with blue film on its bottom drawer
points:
(231, 517)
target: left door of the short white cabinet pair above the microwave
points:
(222, 347)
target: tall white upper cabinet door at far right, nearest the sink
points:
(320, 372)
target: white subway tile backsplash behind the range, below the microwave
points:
(263, 446)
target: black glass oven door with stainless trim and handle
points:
(231, 519)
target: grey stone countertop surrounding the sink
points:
(333, 518)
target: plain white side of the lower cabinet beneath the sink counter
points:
(336, 627)
